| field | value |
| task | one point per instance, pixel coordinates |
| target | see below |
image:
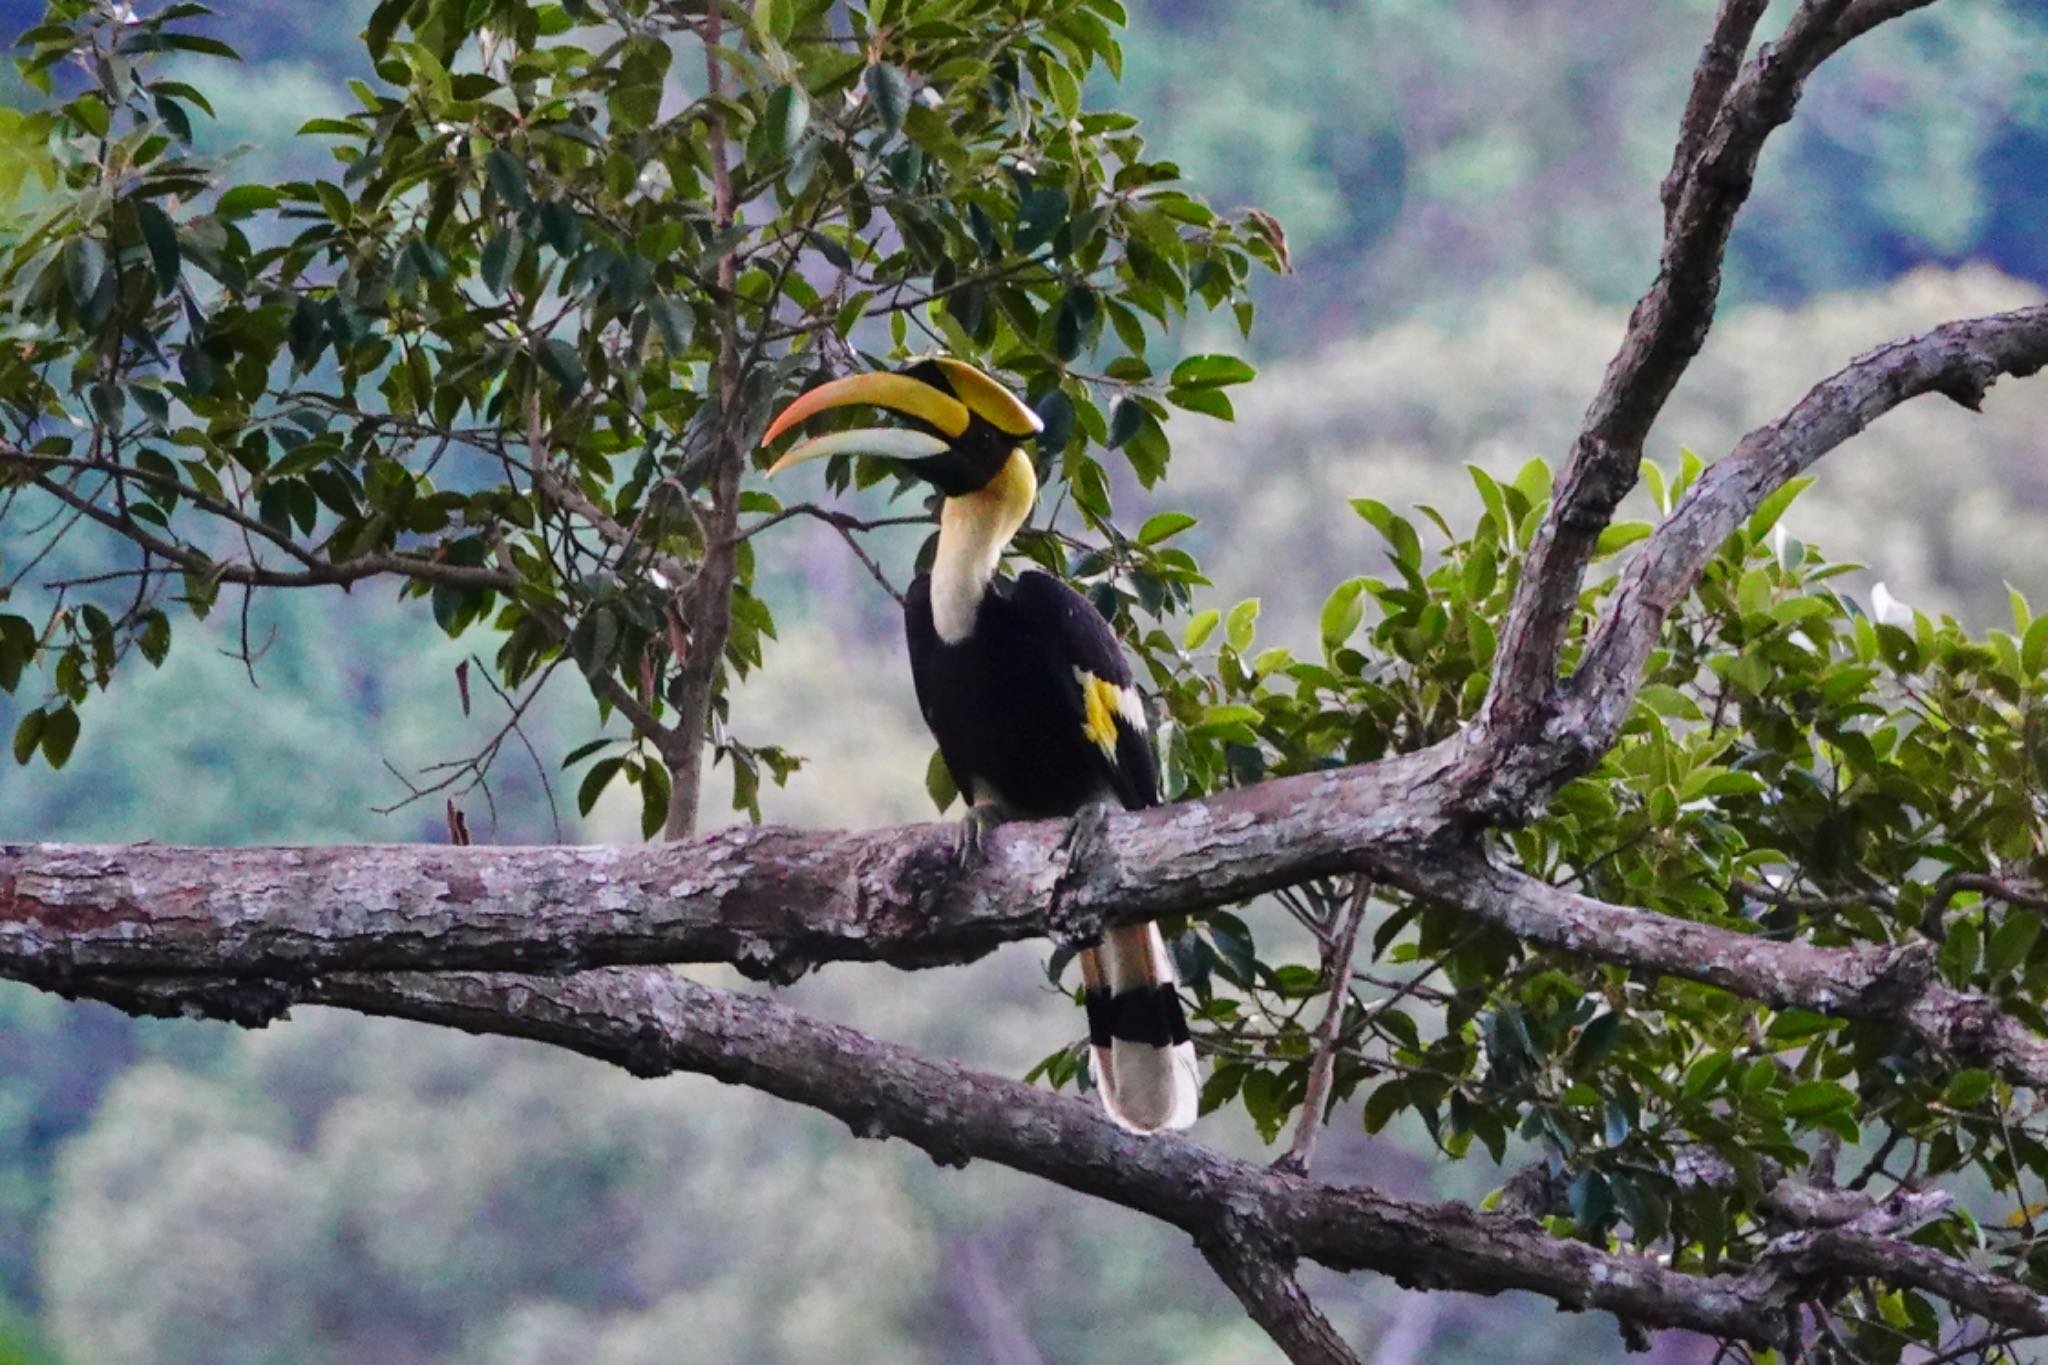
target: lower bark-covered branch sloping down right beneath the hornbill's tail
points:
(1252, 1217)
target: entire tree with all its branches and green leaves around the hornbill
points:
(1631, 856)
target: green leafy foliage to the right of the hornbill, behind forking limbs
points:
(1793, 768)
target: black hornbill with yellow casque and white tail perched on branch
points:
(1025, 689)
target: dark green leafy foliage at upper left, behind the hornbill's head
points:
(515, 353)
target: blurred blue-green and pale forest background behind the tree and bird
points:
(1469, 189)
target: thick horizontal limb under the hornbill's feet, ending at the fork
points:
(771, 901)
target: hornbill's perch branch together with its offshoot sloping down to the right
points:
(775, 901)
